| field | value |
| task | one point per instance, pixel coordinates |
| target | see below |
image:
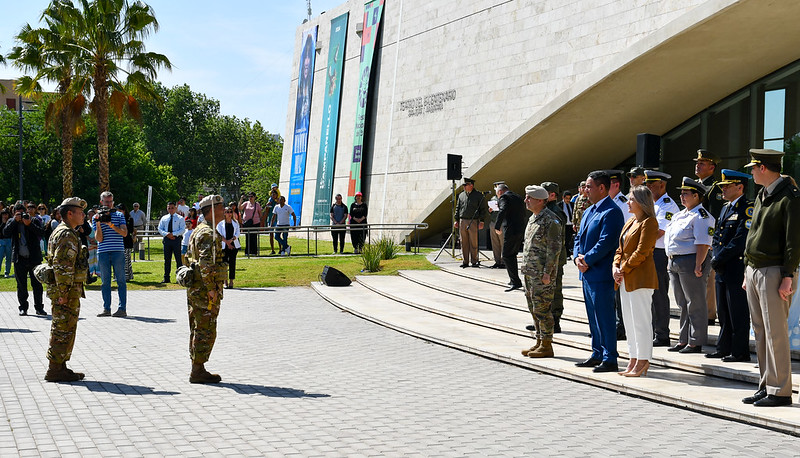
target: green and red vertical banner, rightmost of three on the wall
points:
(372, 21)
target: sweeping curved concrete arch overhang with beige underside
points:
(660, 81)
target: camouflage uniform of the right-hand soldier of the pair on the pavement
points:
(210, 273)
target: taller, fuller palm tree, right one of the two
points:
(109, 36)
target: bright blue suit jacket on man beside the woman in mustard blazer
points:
(599, 239)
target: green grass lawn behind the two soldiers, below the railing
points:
(268, 271)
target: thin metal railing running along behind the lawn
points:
(412, 237)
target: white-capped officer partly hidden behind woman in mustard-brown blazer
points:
(666, 208)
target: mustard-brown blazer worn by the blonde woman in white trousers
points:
(634, 255)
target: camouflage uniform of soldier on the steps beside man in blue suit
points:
(541, 253)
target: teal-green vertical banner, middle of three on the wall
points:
(330, 121)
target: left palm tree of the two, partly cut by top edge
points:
(47, 52)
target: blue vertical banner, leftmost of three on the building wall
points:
(302, 117)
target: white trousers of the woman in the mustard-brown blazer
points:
(638, 318)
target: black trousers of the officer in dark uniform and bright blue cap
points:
(734, 316)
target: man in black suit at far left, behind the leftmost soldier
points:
(25, 233)
